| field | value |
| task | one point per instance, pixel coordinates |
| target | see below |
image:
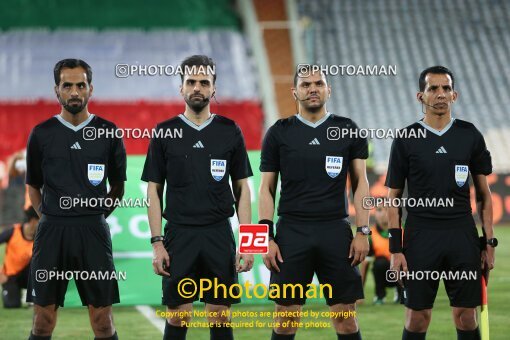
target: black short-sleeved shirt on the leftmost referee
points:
(65, 164)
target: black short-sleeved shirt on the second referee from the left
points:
(197, 168)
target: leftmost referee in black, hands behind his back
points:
(63, 166)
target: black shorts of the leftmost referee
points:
(64, 245)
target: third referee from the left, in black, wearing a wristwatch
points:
(313, 234)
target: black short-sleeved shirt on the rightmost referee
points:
(438, 166)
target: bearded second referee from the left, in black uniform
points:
(198, 240)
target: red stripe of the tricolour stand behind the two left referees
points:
(18, 119)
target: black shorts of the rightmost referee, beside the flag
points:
(445, 251)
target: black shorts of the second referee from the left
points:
(200, 252)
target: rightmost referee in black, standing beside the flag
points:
(442, 239)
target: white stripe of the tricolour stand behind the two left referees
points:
(27, 58)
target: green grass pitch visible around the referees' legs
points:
(376, 322)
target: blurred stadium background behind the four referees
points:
(256, 45)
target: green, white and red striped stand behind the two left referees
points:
(106, 35)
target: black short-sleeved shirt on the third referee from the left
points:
(313, 167)
